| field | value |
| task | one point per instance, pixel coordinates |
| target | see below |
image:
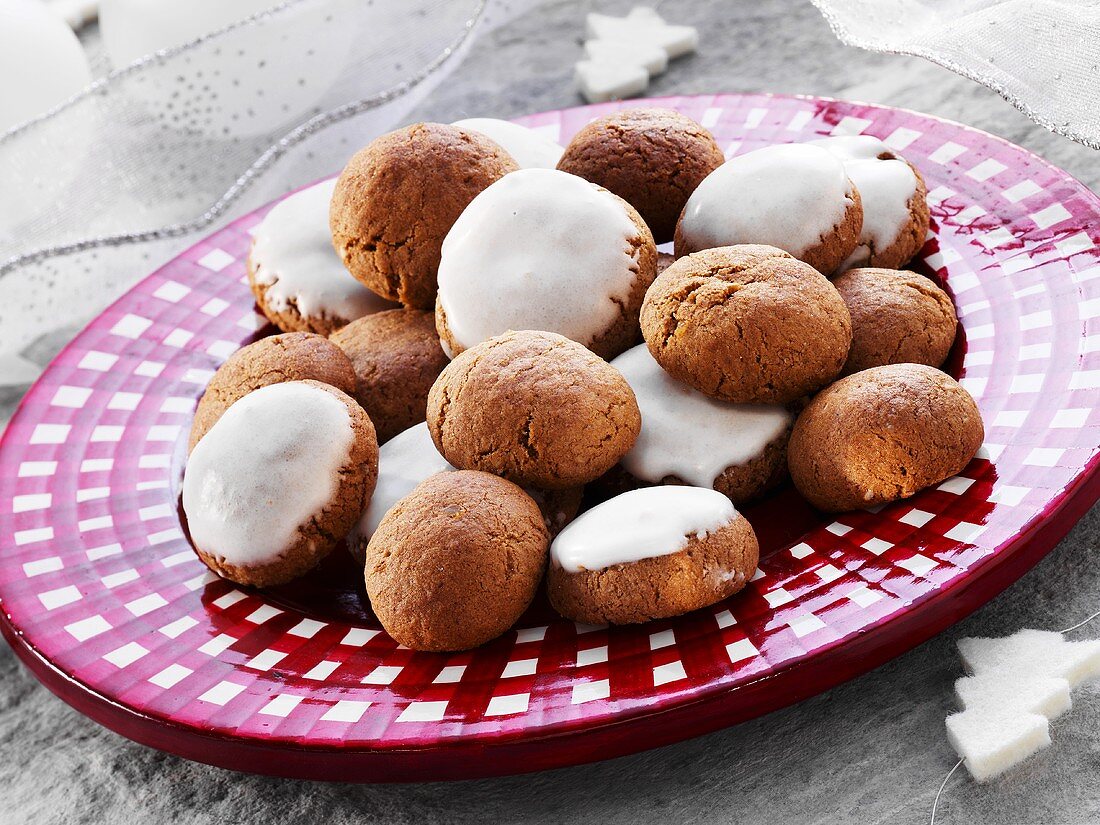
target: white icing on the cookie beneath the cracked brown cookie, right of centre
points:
(685, 433)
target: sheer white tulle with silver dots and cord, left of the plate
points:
(180, 142)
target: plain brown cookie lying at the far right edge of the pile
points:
(883, 435)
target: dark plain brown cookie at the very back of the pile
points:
(653, 159)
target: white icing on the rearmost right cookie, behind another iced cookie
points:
(885, 185)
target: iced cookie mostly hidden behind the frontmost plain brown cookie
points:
(411, 457)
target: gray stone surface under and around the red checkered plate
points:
(870, 752)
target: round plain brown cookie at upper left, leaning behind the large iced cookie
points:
(398, 199)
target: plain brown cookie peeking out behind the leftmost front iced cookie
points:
(288, 357)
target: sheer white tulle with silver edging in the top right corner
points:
(1043, 57)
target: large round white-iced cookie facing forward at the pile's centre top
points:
(544, 250)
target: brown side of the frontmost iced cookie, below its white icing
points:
(707, 571)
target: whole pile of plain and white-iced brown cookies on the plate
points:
(493, 311)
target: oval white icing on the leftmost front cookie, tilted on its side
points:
(269, 465)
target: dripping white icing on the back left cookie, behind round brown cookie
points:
(293, 256)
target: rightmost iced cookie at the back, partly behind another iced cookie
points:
(893, 193)
